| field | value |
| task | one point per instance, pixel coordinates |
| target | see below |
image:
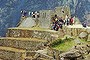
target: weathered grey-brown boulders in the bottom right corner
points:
(76, 53)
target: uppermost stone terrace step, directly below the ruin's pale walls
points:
(40, 33)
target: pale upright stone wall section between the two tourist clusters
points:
(45, 18)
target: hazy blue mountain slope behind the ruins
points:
(10, 9)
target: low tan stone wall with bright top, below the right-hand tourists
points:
(75, 31)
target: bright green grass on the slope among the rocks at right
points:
(67, 44)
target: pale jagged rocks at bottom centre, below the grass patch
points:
(45, 54)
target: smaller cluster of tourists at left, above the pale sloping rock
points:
(34, 14)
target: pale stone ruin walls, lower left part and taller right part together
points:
(46, 15)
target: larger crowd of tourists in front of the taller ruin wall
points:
(59, 22)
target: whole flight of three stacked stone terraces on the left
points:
(19, 41)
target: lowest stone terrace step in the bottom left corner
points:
(8, 53)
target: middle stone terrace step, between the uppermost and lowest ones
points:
(23, 43)
